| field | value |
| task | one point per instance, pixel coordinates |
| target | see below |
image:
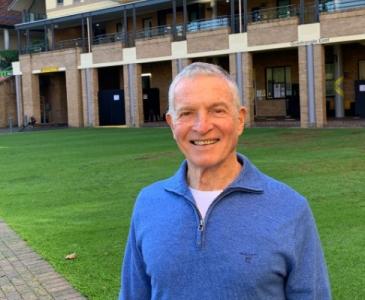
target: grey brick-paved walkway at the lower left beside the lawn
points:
(24, 275)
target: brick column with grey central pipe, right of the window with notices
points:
(312, 86)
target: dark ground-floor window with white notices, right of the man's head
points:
(278, 82)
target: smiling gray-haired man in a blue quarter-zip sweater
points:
(219, 228)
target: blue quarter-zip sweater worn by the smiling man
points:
(257, 241)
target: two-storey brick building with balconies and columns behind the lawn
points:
(93, 63)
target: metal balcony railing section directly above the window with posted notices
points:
(279, 12)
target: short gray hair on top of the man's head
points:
(200, 68)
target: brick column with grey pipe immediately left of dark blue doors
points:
(90, 89)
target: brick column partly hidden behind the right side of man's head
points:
(241, 69)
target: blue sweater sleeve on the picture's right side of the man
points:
(308, 277)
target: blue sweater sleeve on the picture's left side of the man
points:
(135, 283)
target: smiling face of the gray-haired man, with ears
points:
(207, 123)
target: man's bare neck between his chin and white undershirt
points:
(214, 178)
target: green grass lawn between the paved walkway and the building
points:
(73, 191)
